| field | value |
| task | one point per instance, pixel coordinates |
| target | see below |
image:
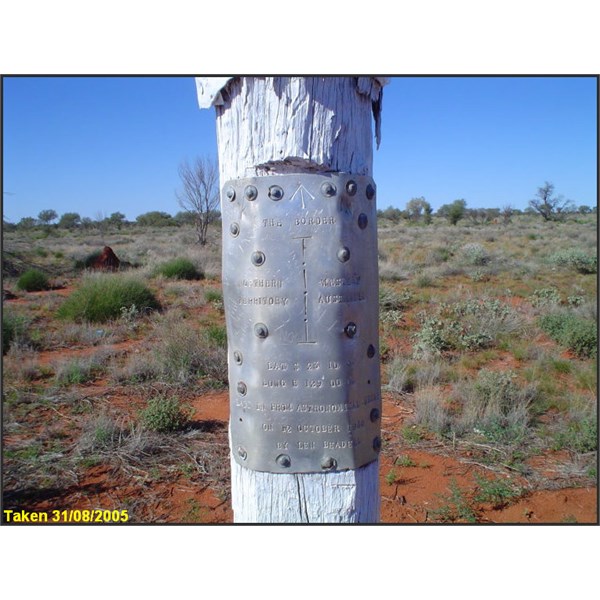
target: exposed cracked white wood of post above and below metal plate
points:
(275, 126)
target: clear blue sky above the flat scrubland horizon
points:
(99, 145)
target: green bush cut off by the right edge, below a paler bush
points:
(575, 333)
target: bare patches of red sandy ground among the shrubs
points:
(409, 497)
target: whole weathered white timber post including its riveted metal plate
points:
(300, 288)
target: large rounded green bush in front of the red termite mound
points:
(102, 297)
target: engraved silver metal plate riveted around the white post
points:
(300, 288)
